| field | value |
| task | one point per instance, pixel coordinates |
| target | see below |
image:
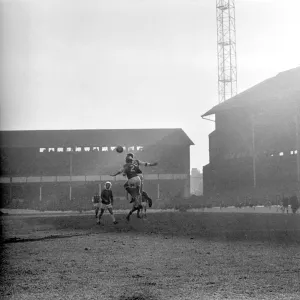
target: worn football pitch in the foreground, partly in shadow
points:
(171, 255)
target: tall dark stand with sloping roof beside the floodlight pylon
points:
(253, 149)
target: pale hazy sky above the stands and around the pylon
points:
(78, 64)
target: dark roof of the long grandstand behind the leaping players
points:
(97, 137)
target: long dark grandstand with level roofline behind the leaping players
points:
(51, 158)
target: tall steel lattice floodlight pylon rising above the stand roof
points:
(226, 38)
